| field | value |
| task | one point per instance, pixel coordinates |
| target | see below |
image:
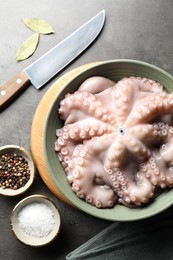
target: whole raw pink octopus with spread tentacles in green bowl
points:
(116, 145)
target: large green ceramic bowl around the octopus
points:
(114, 70)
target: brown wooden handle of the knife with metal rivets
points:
(10, 89)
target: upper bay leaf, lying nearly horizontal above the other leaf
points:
(38, 25)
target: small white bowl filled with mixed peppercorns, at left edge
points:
(17, 170)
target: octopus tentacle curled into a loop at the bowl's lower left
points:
(94, 188)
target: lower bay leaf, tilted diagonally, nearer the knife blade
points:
(28, 47)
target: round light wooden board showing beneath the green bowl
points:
(38, 125)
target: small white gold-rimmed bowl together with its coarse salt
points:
(35, 221)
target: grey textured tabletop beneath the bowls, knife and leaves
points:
(134, 29)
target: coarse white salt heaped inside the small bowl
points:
(36, 219)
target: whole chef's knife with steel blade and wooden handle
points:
(47, 66)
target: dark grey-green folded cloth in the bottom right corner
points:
(149, 239)
